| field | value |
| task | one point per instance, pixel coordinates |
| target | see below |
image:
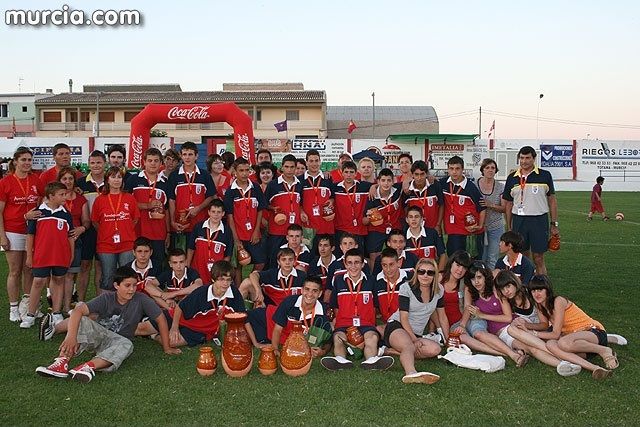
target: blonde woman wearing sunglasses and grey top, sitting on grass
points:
(418, 300)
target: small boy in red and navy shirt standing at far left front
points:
(51, 230)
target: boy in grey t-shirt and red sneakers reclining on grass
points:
(117, 315)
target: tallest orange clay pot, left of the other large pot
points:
(237, 354)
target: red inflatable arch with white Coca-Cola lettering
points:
(153, 114)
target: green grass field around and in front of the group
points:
(597, 267)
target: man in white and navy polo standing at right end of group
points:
(531, 206)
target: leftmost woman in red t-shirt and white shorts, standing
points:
(20, 193)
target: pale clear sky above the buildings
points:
(456, 56)
